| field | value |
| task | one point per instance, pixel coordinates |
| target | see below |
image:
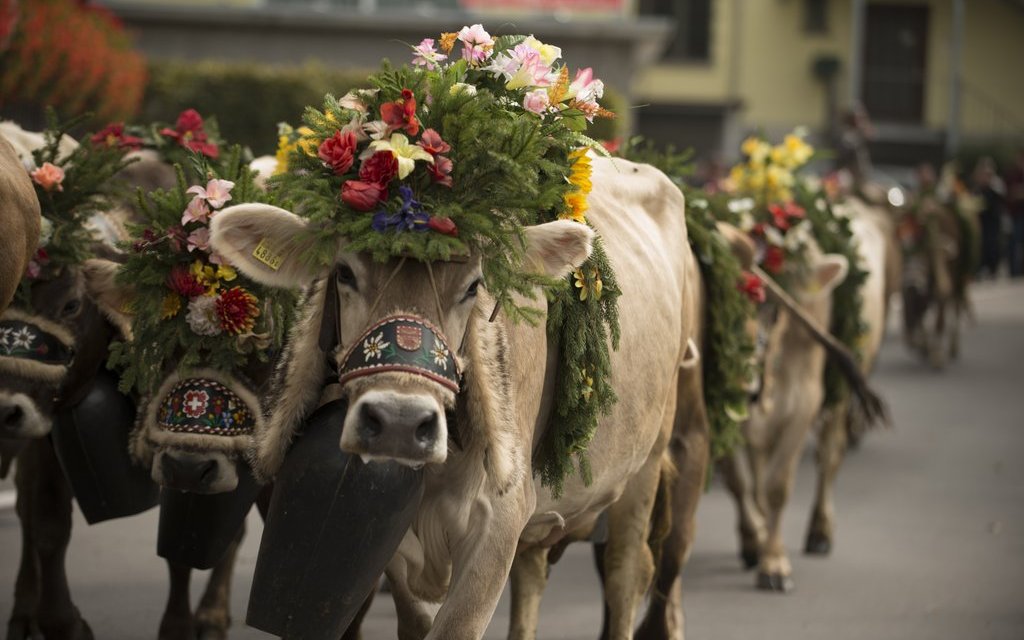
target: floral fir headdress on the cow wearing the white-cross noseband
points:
(188, 305)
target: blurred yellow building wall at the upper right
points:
(773, 57)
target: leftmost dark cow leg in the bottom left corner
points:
(23, 625)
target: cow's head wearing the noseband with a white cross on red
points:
(193, 431)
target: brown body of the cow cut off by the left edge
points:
(19, 220)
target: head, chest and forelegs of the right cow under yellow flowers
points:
(761, 475)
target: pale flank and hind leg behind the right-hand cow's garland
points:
(873, 231)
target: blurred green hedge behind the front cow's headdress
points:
(249, 101)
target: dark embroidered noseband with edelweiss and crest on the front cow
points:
(403, 344)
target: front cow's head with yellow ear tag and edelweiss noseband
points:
(394, 331)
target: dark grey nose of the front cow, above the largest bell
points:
(399, 426)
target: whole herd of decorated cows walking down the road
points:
(484, 518)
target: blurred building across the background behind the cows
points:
(933, 74)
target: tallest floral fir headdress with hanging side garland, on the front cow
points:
(458, 153)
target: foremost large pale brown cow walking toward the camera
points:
(482, 503)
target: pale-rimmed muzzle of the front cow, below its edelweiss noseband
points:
(403, 424)
